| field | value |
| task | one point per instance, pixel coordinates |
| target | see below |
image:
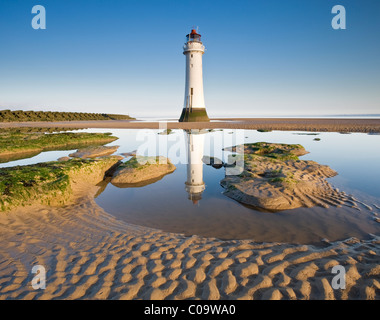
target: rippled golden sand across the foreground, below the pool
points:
(88, 254)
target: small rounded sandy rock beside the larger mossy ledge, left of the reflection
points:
(139, 169)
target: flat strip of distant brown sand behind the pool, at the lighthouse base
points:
(281, 124)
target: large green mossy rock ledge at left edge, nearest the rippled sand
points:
(53, 183)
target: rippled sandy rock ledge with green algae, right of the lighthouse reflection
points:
(275, 179)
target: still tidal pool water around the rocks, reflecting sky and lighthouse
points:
(190, 200)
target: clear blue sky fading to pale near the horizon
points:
(264, 57)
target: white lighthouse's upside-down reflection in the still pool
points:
(194, 184)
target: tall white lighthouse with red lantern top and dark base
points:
(194, 109)
